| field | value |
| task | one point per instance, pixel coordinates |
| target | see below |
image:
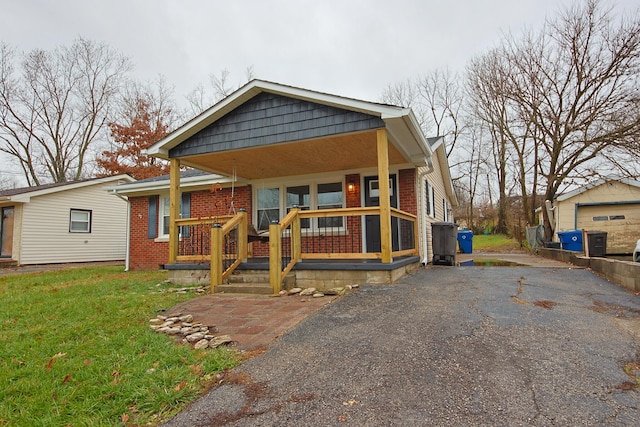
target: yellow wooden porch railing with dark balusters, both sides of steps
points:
(301, 234)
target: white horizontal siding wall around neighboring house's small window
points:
(45, 227)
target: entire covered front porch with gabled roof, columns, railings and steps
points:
(267, 132)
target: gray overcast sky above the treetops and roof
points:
(346, 47)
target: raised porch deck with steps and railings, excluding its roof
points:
(323, 258)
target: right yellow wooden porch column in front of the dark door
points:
(385, 200)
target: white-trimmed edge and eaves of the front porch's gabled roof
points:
(400, 122)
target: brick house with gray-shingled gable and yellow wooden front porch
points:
(296, 173)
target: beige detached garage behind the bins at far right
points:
(607, 205)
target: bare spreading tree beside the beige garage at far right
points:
(578, 84)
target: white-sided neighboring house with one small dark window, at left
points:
(64, 222)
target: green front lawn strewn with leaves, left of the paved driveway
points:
(76, 350)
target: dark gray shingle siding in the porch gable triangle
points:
(271, 119)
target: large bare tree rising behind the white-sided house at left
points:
(57, 107)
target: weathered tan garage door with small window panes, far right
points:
(620, 221)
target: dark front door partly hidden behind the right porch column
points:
(372, 222)
